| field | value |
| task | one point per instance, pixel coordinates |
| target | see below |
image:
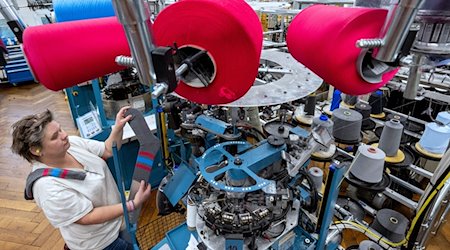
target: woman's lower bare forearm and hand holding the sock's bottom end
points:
(103, 214)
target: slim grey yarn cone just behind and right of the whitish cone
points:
(391, 137)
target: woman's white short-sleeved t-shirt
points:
(65, 201)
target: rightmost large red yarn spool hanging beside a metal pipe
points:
(327, 46)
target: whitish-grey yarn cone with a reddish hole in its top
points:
(368, 165)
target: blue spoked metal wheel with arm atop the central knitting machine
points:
(249, 161)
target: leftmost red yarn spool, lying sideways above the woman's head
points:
(61, 55)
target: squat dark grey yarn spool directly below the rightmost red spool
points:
(347, 124)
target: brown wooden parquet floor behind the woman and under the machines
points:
(22, 224)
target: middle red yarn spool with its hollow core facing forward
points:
(231, 34)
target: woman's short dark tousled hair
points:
(29, 132)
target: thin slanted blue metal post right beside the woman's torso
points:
(131, 228)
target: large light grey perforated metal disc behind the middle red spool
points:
(298, 82)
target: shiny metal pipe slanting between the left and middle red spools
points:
(135, 18)
